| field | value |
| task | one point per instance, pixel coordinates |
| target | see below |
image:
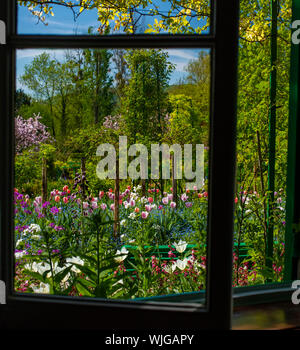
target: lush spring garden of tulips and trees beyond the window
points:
(77, 234)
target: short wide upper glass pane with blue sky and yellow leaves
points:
(106, 17)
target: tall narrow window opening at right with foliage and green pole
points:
(261, 193)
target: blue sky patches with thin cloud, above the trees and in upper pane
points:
(63, 23)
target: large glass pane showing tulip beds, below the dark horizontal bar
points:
(82, 115)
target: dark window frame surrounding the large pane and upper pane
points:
(45, 311)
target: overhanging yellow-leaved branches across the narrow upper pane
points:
(174, 16)
